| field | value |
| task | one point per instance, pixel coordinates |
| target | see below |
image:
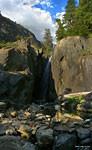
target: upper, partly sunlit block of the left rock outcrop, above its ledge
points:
(19, 57)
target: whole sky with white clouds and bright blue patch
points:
(35, 15)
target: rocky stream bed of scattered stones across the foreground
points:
(48, 126)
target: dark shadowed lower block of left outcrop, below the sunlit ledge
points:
(16, 88)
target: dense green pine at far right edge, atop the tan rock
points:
(83, 19)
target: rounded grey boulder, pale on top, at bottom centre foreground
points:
(44, 137)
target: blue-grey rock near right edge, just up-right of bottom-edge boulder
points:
(83, 133)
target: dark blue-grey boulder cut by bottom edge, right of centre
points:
(64, 142)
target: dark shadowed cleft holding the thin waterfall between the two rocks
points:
(40, 82)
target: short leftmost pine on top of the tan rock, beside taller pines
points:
(60, 33)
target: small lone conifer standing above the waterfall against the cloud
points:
(48, 45)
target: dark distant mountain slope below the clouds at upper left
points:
(11, 31)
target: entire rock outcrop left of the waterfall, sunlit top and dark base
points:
(18, 73)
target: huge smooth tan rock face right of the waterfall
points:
(72, 64)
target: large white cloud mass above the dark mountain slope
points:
(35, 19)
